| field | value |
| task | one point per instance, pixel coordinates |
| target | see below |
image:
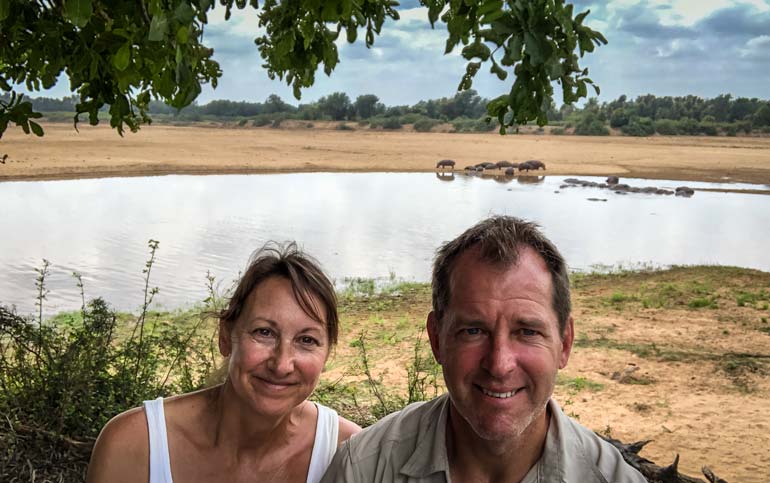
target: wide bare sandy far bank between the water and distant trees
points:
(163, 149)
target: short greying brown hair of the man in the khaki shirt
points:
(499, 239)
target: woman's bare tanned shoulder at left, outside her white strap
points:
(121, 452)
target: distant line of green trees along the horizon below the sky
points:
(643, 116)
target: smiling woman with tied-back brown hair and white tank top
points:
(258, 425)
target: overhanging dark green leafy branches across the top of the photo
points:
(124, 54)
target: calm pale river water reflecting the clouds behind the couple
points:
(357, 225)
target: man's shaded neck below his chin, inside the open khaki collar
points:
(473, 459)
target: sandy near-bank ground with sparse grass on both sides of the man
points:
(680, 357)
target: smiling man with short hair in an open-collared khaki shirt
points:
(501, 329)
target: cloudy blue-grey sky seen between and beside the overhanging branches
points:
(665, 48)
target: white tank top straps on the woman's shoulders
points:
(324, 446)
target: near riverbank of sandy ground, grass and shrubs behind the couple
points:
(667, 355)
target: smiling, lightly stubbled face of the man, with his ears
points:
(499, 344)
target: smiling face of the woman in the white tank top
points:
(277, 351)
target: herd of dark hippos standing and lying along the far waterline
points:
(612, 182)
